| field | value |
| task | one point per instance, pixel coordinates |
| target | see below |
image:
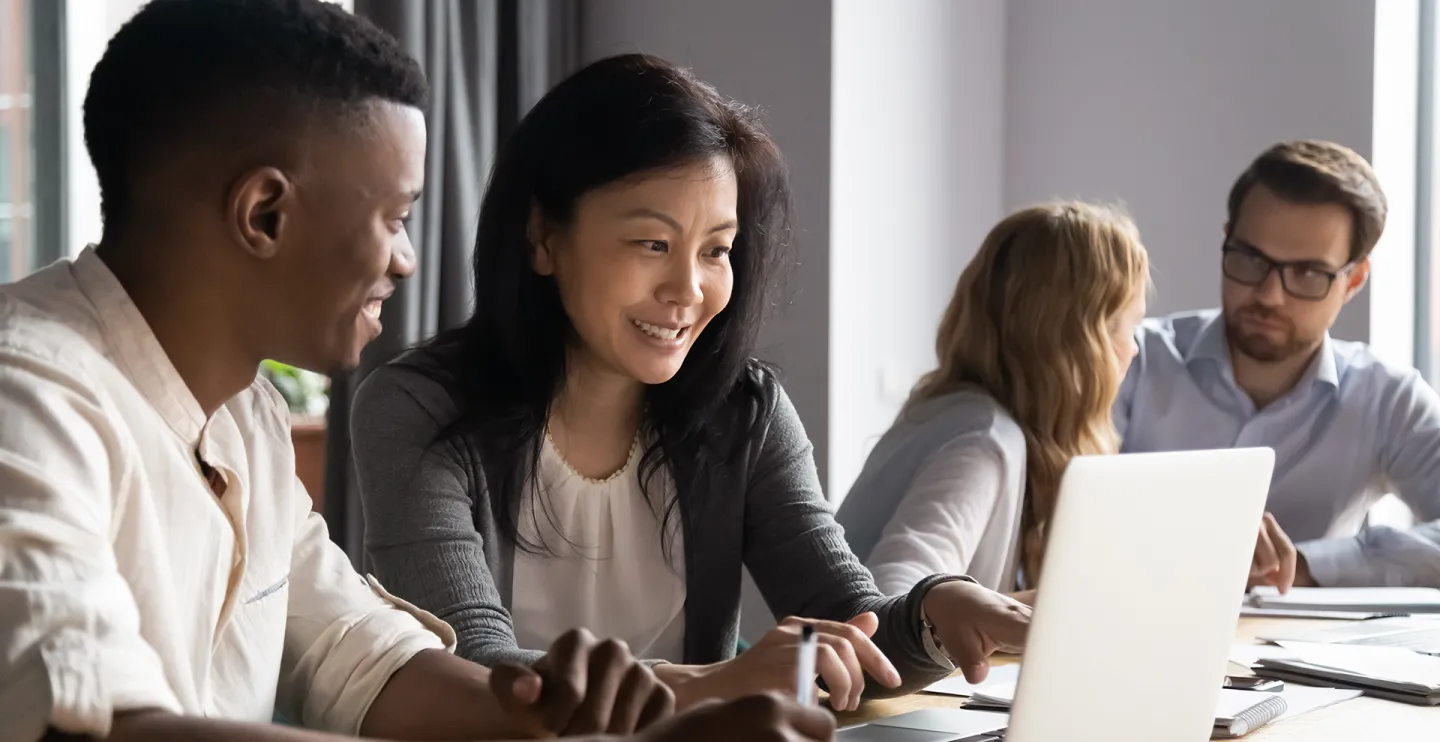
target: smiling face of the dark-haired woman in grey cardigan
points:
(646, 266)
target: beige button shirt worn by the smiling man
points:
(126, 581)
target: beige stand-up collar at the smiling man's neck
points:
(138, 351)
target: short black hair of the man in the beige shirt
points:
(224, 73)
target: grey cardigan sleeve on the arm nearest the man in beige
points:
(418, 501)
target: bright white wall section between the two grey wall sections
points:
(917, 158)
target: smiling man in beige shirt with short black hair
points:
(162, 576)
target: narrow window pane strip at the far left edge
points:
(18, 256)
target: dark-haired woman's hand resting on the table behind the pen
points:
(845, 655)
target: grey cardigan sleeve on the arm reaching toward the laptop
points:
(800, 558)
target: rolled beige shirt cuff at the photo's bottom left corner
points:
(91, 679)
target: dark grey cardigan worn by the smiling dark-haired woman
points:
(433, 540)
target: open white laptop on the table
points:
(1137, 604)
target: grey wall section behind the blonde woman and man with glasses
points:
(1163, 103)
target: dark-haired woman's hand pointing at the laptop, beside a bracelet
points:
(974, 623)
